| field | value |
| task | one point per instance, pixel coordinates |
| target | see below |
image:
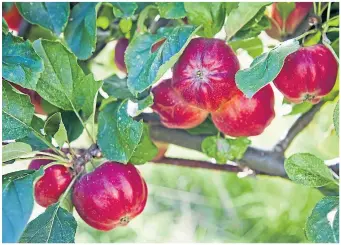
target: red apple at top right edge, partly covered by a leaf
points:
(294, 19)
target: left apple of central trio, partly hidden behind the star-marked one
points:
(174, 112)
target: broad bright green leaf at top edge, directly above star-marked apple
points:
(210, 15)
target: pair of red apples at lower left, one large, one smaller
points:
(110, 196)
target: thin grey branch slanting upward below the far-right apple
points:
(297, 127)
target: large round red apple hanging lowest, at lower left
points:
(110, 196)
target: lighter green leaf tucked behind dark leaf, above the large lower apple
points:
(146, 149)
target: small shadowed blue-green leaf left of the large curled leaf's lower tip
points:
(117, 87)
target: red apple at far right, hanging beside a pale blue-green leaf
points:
(307, 74)
